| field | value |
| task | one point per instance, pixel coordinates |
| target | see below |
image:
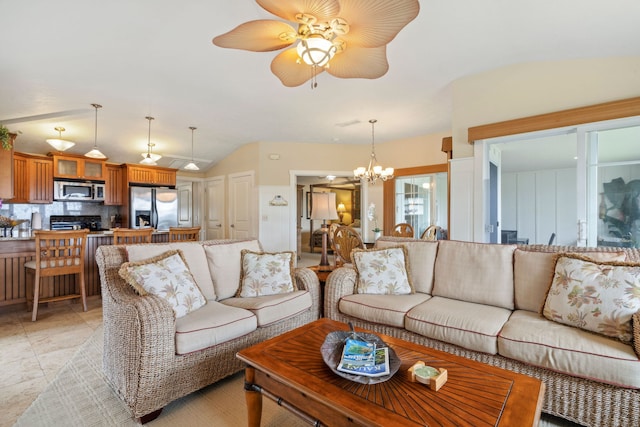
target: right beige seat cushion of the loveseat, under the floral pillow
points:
(273, 308)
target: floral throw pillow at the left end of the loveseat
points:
(168, 277)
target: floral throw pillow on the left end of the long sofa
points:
(382, 271)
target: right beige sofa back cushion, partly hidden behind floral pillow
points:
(533, 271)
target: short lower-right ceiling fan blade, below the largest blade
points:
(360, 62)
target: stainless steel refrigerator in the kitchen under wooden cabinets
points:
(155, 207)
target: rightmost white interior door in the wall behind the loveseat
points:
(241, 206)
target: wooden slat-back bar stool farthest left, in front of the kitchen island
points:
(57, 253)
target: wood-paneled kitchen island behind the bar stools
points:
(15, 251)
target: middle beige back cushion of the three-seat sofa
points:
(475, 272)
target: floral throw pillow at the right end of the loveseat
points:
(266, 273)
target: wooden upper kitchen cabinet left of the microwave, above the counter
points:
(32, 179)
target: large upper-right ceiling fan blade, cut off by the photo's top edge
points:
(375, 23)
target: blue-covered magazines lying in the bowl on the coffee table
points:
(363, 358)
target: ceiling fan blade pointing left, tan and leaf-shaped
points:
(263, 35)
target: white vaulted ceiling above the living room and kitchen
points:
(155, 58)
